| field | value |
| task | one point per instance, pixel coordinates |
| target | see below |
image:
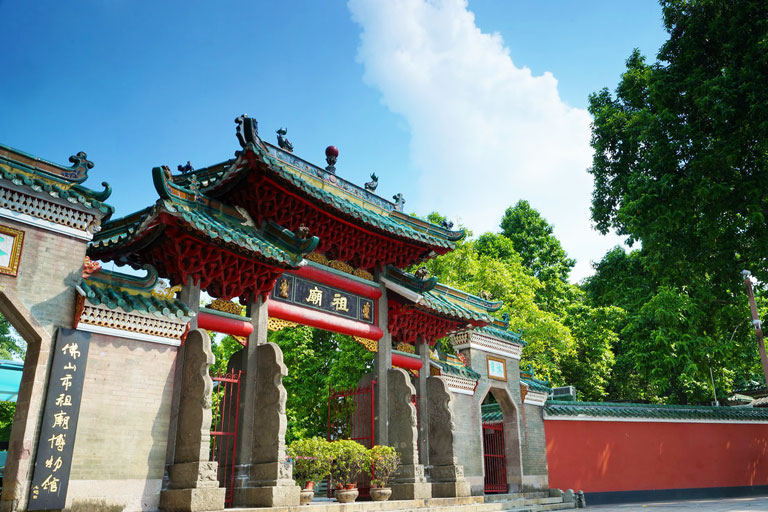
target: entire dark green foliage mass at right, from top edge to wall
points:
(681, 166)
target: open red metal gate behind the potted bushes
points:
(351, 416)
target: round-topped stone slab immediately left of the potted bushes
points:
(264, 477)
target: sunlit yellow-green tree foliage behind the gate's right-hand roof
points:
(569, 341)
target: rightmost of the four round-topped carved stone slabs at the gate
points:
(446, 474)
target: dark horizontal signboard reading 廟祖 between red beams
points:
(303, 292)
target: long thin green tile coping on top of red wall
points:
(655, 411)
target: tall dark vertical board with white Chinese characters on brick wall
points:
(57, 434)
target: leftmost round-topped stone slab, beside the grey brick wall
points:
(193, 485)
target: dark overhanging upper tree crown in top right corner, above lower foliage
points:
(681, 150)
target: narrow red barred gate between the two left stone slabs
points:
(226, 398)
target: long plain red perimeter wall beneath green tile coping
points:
(604, 456)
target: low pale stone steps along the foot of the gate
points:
(515, 502)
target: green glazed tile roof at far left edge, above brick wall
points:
(39, 181)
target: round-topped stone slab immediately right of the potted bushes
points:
(410, 483)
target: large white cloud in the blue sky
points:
(484, 132)
